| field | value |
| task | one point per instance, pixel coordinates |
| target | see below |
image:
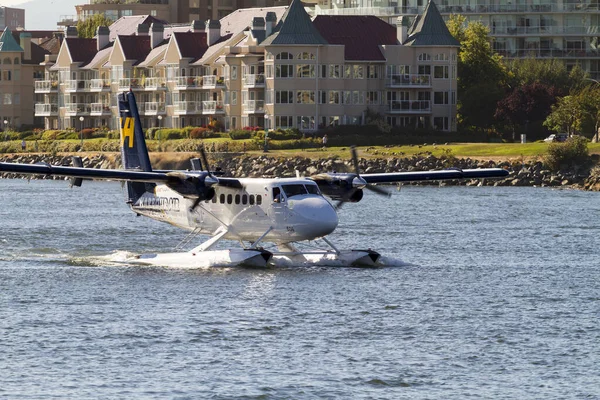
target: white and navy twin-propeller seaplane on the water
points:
(270, 218)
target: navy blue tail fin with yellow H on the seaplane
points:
(134, 153)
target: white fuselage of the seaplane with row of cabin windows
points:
(287, 210)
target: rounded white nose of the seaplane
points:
(318, 215)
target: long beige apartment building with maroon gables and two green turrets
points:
(270, 67)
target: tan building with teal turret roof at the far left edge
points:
(20, 66)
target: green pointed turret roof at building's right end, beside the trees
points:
(430, 29)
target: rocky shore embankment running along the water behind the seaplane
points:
(239, 165)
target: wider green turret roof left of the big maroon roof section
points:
(295, 27)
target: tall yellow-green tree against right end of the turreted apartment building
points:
(482, 76)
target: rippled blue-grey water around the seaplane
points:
(498, 298)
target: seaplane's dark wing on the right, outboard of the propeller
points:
(434, 175)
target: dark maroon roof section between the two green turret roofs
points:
(360, 35)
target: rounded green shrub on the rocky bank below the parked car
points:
(571, 153)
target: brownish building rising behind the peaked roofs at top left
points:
(174, 11)
